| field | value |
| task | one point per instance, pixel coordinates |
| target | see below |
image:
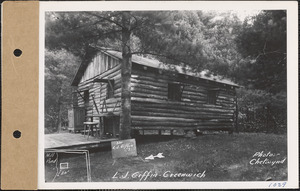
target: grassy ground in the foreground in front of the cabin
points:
(223, 157)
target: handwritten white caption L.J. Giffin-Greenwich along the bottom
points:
(145, 175)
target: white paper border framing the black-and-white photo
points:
(292, 89)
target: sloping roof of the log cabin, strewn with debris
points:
(159, 65)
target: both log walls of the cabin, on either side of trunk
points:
(151, 108)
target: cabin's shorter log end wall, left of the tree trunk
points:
(99, 91)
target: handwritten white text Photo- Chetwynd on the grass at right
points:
(266, 158)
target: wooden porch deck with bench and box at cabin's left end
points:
(86, 131)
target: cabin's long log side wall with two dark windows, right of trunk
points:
(151, 108)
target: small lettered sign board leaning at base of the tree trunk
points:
(123, 148)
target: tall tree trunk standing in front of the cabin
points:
(125, 117)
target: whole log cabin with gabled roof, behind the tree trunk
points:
(163, 97)
